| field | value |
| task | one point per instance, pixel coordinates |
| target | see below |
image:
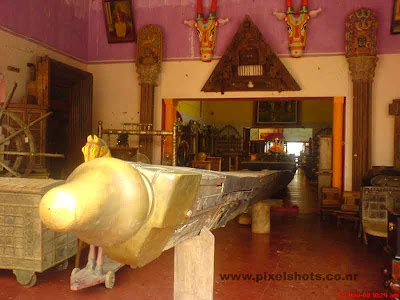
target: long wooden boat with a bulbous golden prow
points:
(136, 211)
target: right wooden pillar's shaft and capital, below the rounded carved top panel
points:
(362, 69)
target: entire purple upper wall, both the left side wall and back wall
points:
(77, 26)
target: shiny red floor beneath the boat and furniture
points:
(303, 245)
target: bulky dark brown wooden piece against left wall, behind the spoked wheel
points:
(66, 92)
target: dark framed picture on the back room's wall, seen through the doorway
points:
(276, 112)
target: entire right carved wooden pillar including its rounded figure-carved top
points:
(361, 56)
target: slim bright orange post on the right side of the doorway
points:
(337, 157)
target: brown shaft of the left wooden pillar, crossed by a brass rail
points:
(146, 117)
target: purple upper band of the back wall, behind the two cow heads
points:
(326, 32)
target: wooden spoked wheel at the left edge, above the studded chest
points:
(13, 166)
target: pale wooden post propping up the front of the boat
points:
(194, 268)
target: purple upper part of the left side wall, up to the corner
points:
(61, 24)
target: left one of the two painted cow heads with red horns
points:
(206, 29)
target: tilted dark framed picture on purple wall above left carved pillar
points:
(120, 25)
